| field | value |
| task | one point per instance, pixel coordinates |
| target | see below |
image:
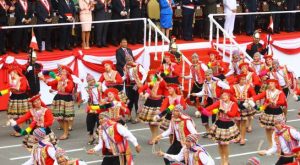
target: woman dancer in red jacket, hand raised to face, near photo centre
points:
(153, 91)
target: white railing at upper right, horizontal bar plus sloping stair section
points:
(233, 43)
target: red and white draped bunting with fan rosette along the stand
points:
(80, 62)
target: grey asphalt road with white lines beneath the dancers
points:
(12, 153)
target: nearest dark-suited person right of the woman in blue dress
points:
(188, 10)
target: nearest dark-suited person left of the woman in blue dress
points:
(137, 10)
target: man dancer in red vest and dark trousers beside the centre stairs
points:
(197, 74)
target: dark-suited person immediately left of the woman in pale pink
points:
(66, 11)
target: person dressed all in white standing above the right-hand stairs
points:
(229, 10)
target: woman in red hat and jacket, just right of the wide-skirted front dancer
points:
(242, 91)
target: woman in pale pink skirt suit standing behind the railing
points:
(86, 7)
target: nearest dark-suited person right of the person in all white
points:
(250, 6)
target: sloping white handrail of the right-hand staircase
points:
(226, 35)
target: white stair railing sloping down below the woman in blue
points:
(153, 28)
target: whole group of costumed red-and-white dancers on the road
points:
(230, 96)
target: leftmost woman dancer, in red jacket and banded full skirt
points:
(18, 101)
